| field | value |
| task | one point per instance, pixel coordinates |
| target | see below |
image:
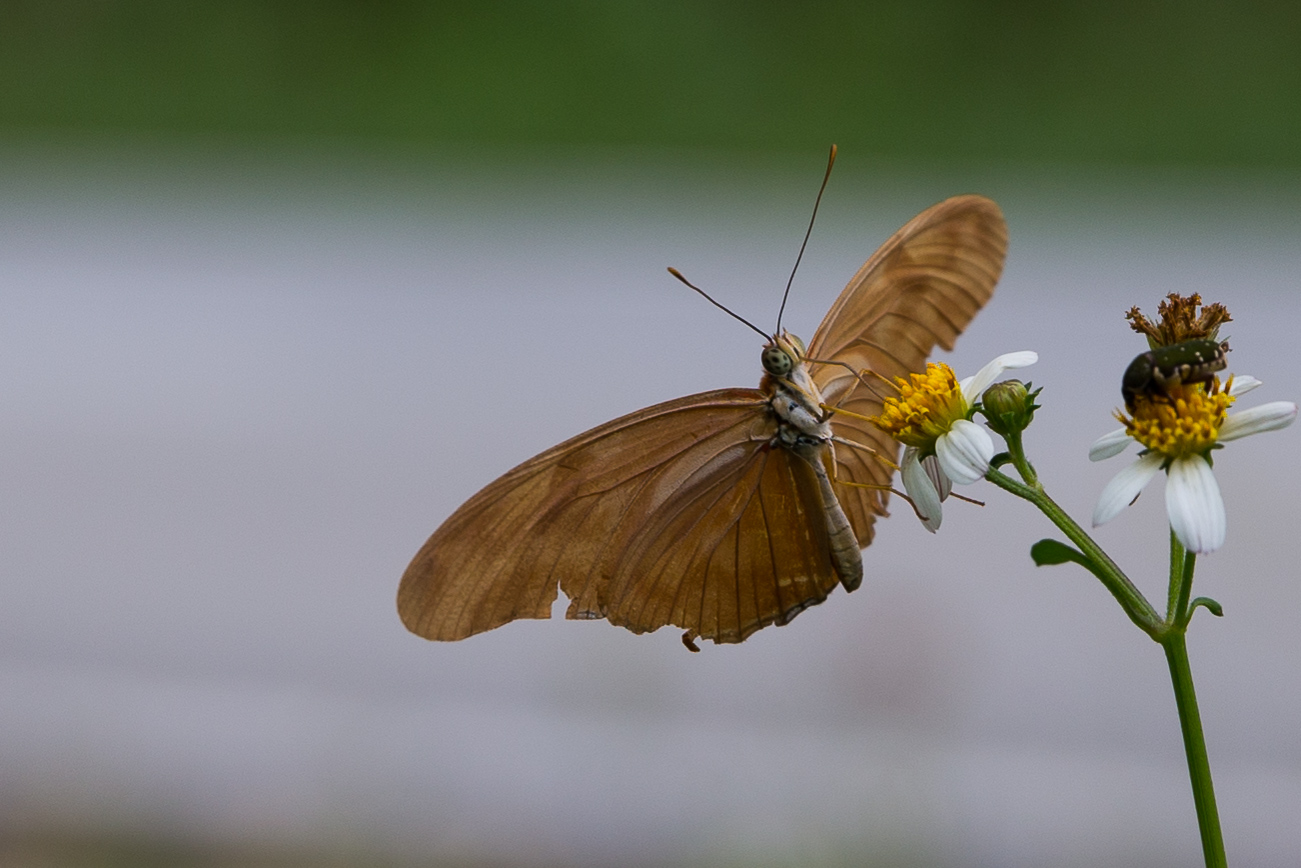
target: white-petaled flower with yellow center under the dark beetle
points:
(1178, 435)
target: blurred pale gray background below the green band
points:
(243, 394)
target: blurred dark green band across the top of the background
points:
(1195, 83)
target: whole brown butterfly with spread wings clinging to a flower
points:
(728, 511)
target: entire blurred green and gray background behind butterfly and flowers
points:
(254, 352)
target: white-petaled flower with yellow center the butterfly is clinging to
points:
(931, 417)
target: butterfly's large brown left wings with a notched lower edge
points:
(684, 513)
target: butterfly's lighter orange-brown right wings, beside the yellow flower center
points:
(922, 288)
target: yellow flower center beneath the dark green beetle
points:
(1185, 424)
